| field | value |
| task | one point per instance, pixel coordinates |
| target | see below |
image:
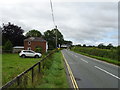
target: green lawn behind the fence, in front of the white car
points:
(12, 65)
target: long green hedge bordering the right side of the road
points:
(112, 54)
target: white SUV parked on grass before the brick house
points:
(29, 53)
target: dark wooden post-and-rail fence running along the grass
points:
(17, 80)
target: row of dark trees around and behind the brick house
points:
(12, 35)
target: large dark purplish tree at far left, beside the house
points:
(13, 33)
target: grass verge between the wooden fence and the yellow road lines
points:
(54, 77)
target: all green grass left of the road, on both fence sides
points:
(52, 76)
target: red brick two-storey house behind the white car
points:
(32, 42)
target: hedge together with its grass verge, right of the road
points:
(108, 55)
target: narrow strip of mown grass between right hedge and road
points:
(100, 58)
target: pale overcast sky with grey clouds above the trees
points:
(88, 23)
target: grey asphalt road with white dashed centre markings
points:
(92, 73)
